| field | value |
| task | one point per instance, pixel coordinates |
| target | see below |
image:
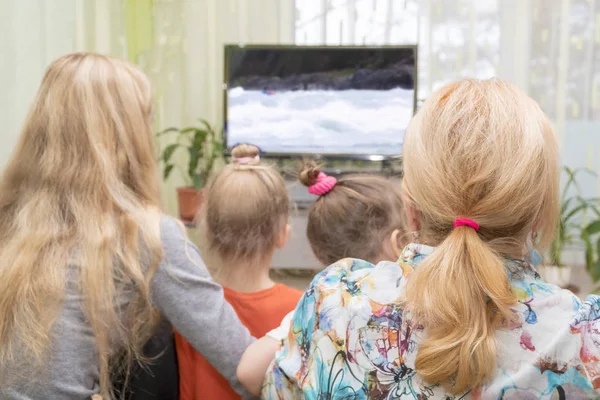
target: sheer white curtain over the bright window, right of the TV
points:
(550, 48)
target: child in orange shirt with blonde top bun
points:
(245, 220)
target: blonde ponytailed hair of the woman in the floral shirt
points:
(481, 150)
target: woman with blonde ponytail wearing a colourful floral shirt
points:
(464, 313)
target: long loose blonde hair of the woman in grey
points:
(79, 209)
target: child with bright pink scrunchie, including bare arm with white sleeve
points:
(356, 215)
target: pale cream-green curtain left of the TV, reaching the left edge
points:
(178, 43)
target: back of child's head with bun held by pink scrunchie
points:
(354, 218)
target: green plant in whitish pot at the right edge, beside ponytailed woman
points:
(571, 229)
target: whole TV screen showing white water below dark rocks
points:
(320, 100)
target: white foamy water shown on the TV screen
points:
(320, 121)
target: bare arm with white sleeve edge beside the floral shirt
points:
(257, 357)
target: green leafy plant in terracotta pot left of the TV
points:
(204, 147)
